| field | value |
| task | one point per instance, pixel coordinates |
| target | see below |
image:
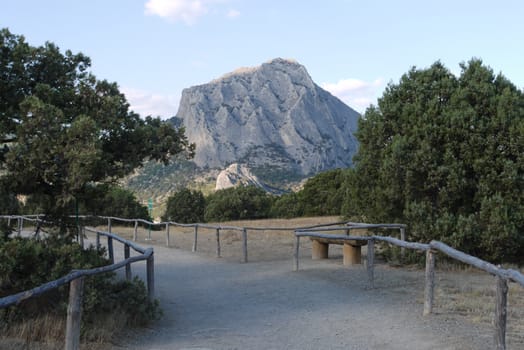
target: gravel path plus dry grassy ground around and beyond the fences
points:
(221, 303)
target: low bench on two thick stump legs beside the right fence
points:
(352, 249)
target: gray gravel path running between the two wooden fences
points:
(217, 304)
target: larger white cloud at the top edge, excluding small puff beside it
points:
(177, 10)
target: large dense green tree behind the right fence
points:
(445, 155)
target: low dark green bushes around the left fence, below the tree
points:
(27, 263)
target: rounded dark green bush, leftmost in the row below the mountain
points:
(185, 206)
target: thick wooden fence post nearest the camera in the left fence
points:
(74, 314)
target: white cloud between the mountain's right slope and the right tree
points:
(357, 94)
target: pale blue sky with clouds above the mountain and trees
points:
(155, 48)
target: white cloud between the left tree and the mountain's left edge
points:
(146, 103)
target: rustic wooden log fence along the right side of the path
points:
(503, 275)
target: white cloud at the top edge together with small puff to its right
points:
(186, 11)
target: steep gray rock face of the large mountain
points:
(273, 115)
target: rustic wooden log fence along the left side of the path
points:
(76, 279)
